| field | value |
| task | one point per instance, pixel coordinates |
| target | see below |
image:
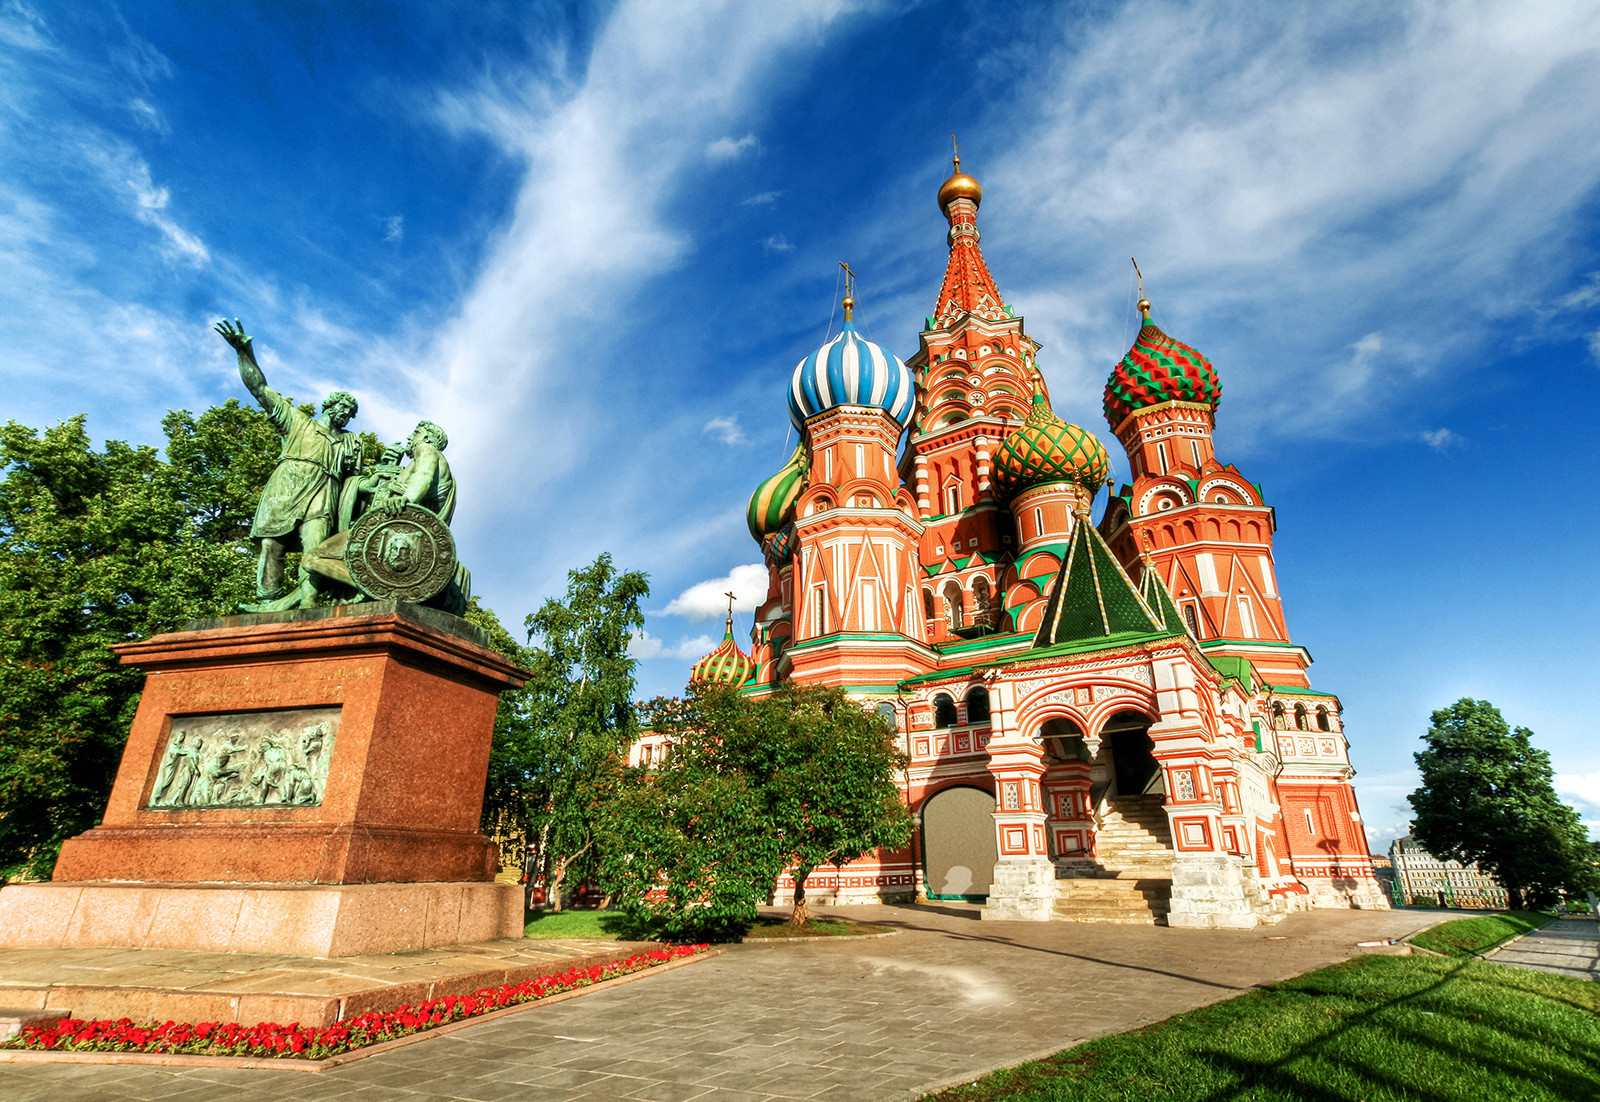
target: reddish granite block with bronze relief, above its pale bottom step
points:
(378, 721)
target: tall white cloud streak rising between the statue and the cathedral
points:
(586, 233)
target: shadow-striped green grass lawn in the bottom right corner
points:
(1377, 1029)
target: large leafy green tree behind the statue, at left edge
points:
(100, 548)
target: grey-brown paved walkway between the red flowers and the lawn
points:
(890, 1018)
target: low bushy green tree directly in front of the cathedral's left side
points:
(802, 778)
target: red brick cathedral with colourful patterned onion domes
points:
(1105, 722)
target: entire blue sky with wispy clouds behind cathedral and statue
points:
(593, 241)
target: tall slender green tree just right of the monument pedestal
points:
(569, 749)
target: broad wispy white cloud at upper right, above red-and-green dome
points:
(1297, 183)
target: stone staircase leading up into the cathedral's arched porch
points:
(1132, 877)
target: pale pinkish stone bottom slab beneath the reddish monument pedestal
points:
(303, 920)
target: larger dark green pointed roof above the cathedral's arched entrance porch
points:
(1094, 597)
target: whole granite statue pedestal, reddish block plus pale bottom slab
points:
(367, 842)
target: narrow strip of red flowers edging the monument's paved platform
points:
(292, 1042)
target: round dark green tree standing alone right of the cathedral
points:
(1487, 797)
